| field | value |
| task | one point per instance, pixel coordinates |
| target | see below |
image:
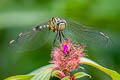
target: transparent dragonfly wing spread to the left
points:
(30, 39)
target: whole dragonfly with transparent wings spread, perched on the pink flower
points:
(40, 34)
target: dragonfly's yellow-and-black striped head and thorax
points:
(56, 24)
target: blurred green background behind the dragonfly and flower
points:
(16, 15)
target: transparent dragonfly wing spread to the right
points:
(88, 35)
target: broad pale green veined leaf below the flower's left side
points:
(44, 74)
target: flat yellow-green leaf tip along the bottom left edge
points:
(20, 77)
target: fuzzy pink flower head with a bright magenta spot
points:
(66, 57)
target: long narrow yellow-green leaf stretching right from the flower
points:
(113, 74)
